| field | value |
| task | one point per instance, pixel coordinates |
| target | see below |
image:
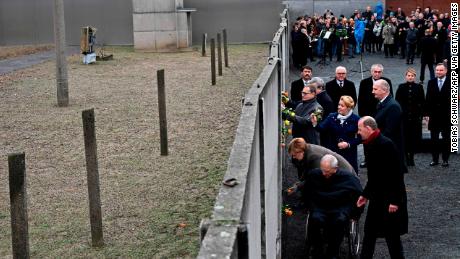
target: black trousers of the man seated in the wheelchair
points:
(333, 225)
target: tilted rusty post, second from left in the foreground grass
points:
(89, 132)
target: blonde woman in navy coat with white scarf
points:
(342, 129)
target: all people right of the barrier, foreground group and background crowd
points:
(387, 124)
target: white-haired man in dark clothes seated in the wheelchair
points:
(330, 194)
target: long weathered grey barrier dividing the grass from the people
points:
(246, 221)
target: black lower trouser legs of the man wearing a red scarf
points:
(394, 244)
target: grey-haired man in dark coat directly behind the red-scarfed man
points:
(389, 117)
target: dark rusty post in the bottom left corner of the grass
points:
(18, 200)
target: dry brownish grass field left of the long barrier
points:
(144, 196)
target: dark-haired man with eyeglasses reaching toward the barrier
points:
(302, 126)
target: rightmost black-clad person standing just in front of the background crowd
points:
(428, 48)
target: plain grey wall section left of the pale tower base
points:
(31, 21)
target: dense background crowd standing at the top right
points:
(420, 33)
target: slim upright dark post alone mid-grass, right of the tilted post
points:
(162, 112)
